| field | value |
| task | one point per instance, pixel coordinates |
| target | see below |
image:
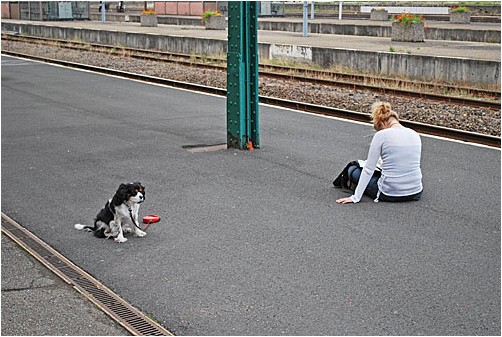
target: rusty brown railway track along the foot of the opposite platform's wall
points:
(484, 98)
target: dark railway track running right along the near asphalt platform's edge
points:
(461, 135)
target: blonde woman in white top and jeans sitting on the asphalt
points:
(399, 149)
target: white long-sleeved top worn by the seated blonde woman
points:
(400, 150)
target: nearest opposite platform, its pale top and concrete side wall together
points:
(430, 60)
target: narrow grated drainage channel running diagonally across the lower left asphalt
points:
(122, 312)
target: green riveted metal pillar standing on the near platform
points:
(243, 129)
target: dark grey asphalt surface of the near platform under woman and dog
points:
(250, 242)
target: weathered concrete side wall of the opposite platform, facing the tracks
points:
(425, 68)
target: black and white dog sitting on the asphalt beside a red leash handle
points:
(120, 214)
